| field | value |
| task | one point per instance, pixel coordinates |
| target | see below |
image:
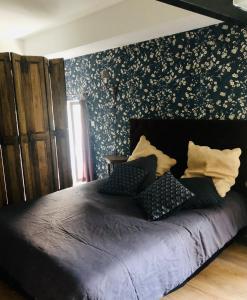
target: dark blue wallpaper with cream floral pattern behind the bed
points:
(196, 74)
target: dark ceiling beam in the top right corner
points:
(218, 9)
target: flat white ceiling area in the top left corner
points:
(19, 18)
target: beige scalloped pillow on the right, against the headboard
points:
(221, 165)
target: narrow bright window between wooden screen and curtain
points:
(75, 137)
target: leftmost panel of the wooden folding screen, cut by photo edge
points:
(9, 135)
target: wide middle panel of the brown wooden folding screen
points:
(31, 100)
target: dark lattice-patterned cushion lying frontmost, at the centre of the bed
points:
(162, 197)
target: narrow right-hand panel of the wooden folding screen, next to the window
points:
(57, 79)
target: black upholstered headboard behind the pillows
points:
(172, 137)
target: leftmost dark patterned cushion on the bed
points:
(124, 180)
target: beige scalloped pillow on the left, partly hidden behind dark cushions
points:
(144, 148)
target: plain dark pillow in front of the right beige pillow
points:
(204, 190)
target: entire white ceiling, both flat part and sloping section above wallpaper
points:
(69, 28)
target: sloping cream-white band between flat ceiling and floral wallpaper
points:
(128, 22)
